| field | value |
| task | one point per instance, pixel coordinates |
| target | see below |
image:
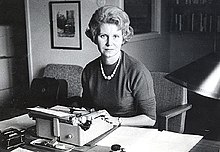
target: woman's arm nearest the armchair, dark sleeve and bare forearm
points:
(143, 92)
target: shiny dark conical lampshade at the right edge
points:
(201, 76)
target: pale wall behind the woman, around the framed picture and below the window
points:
(153, 52)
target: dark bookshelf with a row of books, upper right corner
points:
(199, 16)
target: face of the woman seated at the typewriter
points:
(109, 40)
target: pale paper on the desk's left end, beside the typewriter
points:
(20, 122)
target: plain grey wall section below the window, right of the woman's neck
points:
(154, 53)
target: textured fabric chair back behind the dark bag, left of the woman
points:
(70, 73)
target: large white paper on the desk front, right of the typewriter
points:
(142, 139)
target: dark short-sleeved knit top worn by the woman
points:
(129, 93)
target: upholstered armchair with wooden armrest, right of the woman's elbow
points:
(171, 103)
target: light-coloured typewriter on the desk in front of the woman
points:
(76, 126)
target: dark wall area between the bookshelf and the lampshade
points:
(187, 47)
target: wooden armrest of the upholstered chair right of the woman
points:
(165, 116)
